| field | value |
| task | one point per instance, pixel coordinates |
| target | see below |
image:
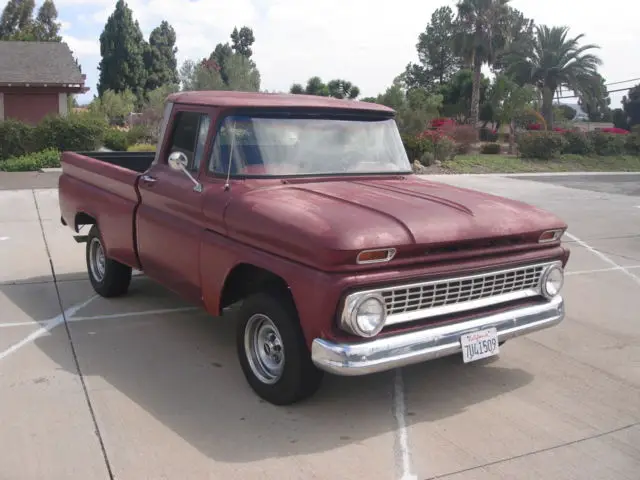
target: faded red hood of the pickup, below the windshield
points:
(326, 223)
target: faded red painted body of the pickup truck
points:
(307, 231)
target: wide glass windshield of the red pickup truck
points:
(272, 146)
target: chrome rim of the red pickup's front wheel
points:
(264, 349)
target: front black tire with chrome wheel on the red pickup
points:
(299, 378)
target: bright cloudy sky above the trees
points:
(365, 42)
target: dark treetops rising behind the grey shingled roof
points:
(17, 22)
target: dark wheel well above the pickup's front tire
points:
(246, 279)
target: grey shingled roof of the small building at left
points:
(38, 63)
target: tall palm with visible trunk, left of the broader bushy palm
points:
(479, 23)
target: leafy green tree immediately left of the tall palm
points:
(435, 52)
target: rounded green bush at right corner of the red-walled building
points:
(79, 132)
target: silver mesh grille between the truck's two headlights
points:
(462, 293)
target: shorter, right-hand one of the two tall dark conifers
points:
(160, 57)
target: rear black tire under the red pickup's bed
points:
(114, 278)
